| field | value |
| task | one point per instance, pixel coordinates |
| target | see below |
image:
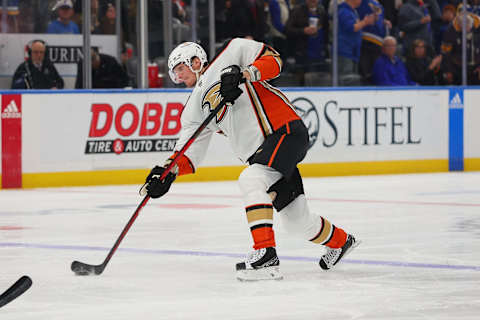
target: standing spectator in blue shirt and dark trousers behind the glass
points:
(372, 36)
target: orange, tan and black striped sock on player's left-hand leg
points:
(260, 221)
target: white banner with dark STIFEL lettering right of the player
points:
(369, 125)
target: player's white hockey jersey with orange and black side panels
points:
(260, 109)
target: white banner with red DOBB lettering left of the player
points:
(78, 132)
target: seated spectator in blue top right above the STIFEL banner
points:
(389, 69)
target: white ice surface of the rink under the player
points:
(419, 257)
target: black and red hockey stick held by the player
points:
(83, 269)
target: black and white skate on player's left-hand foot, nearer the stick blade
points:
(261, 264)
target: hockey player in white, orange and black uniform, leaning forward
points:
(265, 132)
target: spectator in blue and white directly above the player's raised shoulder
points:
(277, 16)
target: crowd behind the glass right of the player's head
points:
(380, 42)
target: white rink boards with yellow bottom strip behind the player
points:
(115, 137)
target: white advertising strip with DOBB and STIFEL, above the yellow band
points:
(126, 130)
